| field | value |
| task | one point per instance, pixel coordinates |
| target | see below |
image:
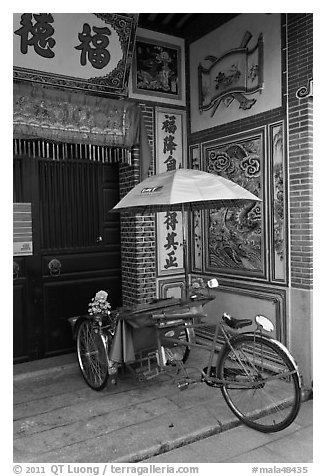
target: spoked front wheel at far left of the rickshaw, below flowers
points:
(92, 356)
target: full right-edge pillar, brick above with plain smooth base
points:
(300, 125)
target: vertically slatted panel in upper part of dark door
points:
(69, 203)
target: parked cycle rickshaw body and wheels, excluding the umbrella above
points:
(256, 374)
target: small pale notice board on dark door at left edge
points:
(22, 227)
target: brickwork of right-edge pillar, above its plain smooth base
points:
(300, 124)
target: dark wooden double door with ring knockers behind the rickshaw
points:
(76, 247)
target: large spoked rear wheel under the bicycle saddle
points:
(263, 386)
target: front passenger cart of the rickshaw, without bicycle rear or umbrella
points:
(139, 332)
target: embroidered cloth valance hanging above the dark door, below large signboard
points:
(71, 116)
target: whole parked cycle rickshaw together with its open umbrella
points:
(256, 374)
